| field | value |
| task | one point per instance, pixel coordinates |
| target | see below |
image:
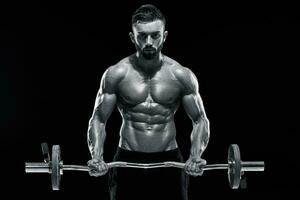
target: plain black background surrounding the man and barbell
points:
(53, 54)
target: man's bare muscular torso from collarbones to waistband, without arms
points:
(147, 105)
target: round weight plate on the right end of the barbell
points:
(234, 166)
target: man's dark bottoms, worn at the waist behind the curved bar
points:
(143, 184)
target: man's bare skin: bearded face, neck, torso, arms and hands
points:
(147, 87)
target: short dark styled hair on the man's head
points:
(147, 13)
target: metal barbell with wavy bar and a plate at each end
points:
(235, 167)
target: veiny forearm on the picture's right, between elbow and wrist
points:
(199, 138)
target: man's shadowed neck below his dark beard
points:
(149, 66)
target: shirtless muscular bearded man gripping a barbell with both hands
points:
(147, 87)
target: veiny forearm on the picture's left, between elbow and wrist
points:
(96, 138)
